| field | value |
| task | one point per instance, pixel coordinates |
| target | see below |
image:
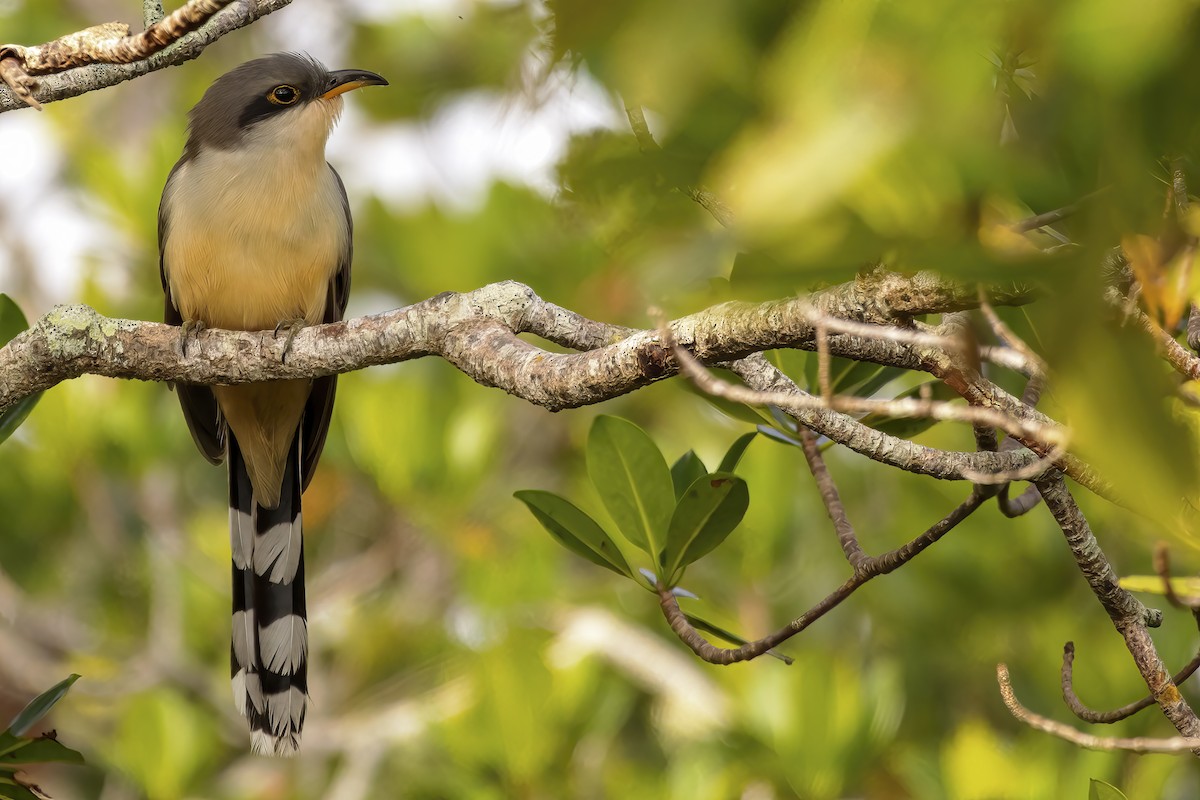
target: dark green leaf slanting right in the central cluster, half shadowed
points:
(706, 515)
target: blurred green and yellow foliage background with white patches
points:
(458, 651)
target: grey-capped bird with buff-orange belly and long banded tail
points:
(255, 234)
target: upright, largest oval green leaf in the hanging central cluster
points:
(633, 480)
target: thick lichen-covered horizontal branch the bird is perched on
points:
(478, 334)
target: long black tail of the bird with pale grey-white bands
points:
(269, 653)
